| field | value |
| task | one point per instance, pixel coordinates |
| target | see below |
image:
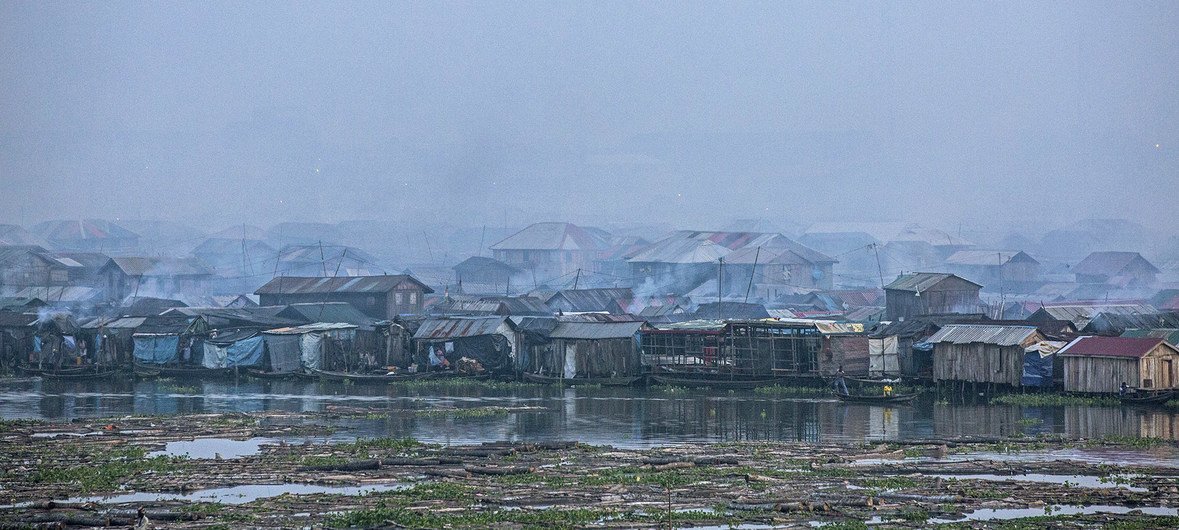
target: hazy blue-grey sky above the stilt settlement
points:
(215, 114)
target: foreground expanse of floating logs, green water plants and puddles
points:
(93, 473)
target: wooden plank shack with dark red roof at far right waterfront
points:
(1102, 365)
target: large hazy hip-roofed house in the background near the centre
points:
(550, 251)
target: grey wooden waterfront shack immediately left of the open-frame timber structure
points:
(590, 350)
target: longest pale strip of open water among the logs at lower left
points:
(240, 495)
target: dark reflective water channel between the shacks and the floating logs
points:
(621, 418)
